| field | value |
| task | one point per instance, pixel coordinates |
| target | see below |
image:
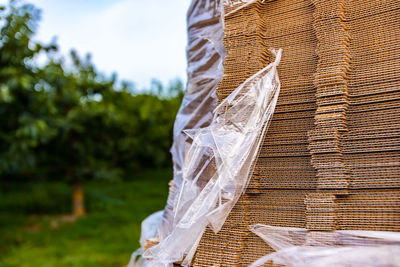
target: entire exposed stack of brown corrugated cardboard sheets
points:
(331, 157)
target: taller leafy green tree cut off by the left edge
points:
(24, 108)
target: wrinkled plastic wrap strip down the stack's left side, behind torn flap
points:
(205, 53)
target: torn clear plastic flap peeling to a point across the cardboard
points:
(227, 149)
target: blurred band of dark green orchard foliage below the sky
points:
(71, 122)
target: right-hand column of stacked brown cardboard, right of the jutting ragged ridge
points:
(371, 144)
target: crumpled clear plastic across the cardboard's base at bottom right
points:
(297, 247)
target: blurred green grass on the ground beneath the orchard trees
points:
(33, 234)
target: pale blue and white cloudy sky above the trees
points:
(138, 39)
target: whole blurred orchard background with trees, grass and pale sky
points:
(89, 91)
